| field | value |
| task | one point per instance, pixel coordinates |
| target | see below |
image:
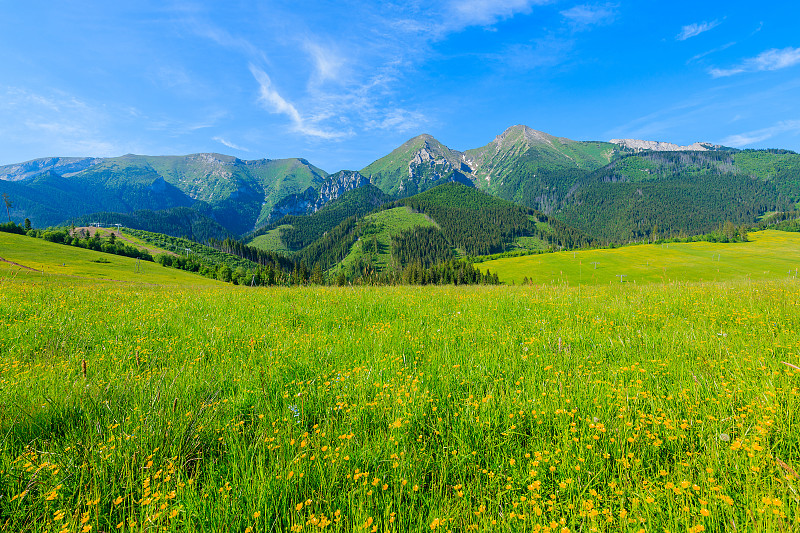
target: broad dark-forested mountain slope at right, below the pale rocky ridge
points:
(672, 193)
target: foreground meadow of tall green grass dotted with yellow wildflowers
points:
(662, 407)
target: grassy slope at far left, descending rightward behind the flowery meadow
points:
(58, 260)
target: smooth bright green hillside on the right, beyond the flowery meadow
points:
(770, 255)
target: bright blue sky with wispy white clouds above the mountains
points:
(342, 83)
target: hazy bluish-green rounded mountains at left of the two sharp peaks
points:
(238, 195)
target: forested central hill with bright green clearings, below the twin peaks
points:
(461, 220)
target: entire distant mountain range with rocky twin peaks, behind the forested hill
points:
(614, 191)
